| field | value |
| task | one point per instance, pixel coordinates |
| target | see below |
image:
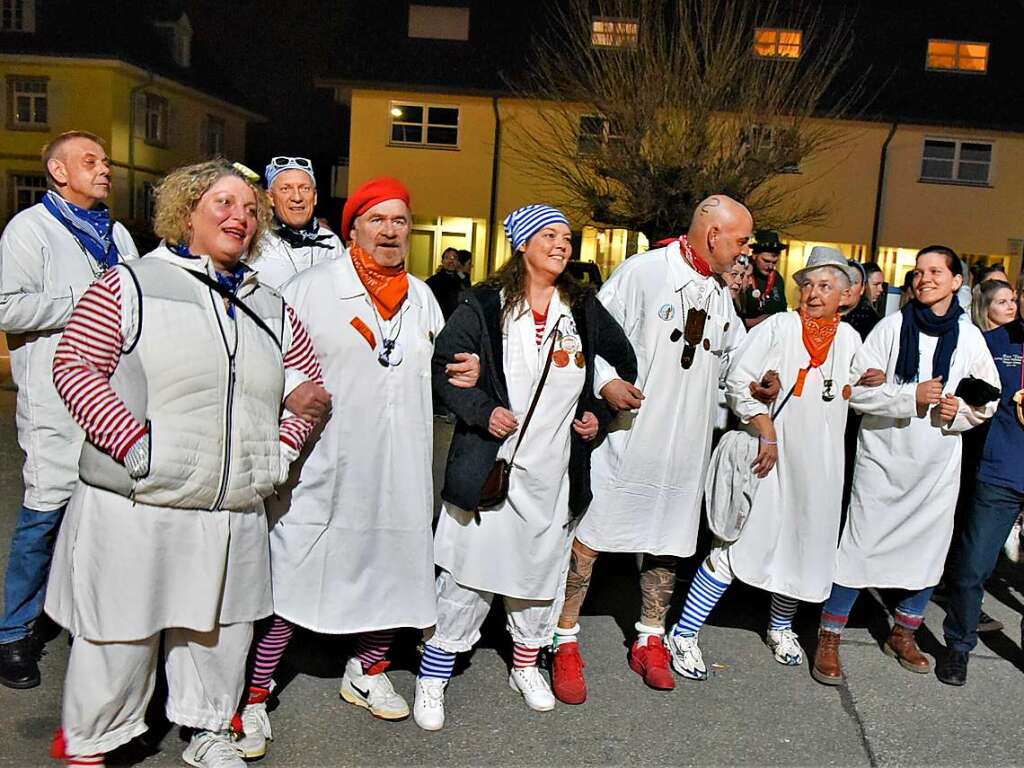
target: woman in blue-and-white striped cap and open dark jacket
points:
(533, 413)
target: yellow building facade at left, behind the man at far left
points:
(151, 124)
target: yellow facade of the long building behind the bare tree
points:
(461, 190)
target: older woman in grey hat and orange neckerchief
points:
(788, 544)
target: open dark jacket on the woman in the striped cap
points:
(476, 327)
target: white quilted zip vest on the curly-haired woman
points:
(212, 397)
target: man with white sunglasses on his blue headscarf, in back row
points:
(296, 240)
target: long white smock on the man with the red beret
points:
(352, 548)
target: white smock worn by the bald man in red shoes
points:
(649, 475)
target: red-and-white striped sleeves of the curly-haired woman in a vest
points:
(91, 349)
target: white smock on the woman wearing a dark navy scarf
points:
(907, 477)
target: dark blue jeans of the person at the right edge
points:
(975, 554)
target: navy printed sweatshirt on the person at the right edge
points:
(1002, 463)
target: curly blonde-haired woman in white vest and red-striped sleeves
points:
(176, 367)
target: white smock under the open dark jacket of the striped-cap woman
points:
(518, 549)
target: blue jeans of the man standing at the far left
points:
(28, 569)
